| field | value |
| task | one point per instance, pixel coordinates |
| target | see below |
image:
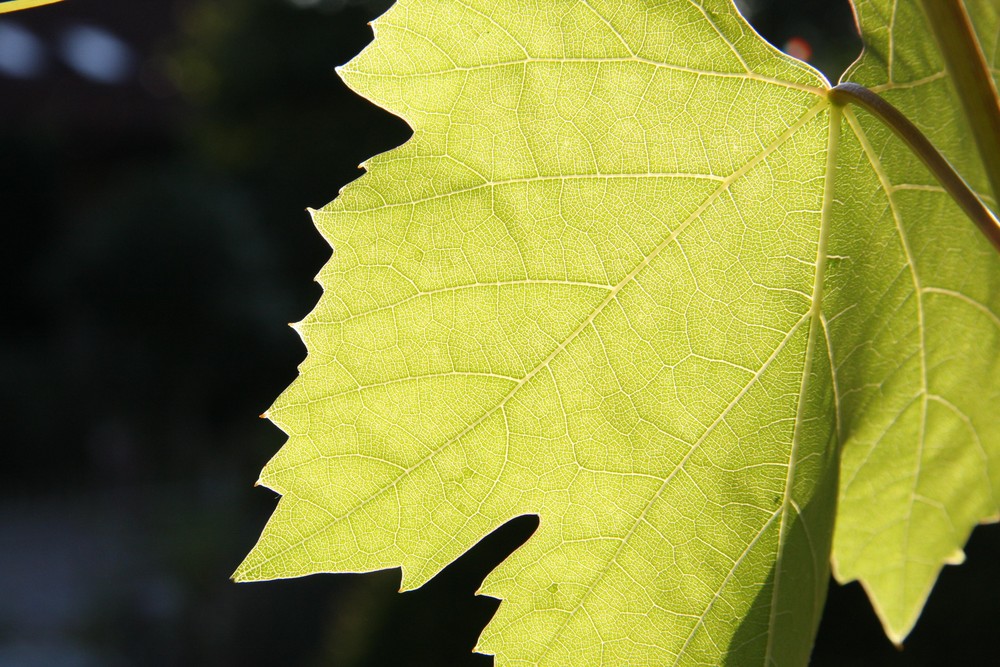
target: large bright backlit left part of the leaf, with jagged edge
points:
(534, 420)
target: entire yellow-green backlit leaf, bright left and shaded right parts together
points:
(596, 285)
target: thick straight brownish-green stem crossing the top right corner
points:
(970, 73)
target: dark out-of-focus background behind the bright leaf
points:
(156, 161)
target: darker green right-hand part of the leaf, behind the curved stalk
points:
(915, 331)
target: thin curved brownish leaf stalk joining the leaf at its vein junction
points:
(946, 175)
